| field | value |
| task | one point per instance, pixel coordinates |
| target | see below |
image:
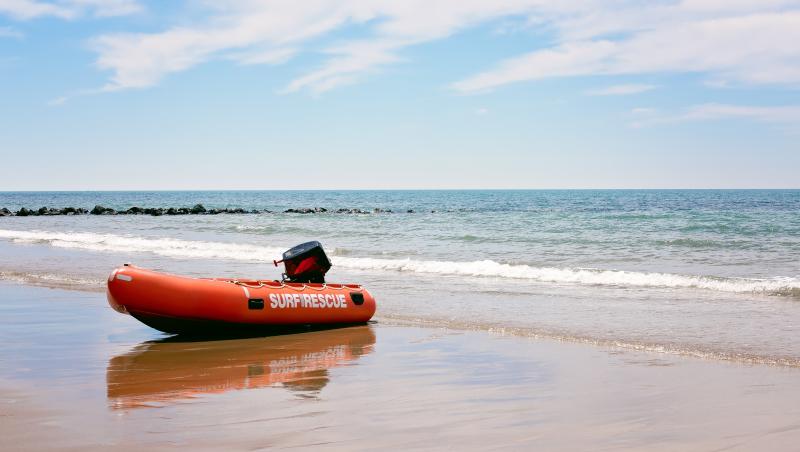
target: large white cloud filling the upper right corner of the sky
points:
(750, 42)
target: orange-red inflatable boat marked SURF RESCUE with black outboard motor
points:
(176, 304)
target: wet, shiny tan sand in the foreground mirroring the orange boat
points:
(74, 375)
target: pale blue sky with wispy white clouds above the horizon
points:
(372, 94)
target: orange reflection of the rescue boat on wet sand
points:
(163, 372)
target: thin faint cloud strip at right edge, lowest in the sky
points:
(783, 115)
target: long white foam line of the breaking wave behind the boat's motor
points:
(177, 248)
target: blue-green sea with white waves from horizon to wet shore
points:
(707, 274)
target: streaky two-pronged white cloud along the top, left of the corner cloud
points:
(238, 27)
